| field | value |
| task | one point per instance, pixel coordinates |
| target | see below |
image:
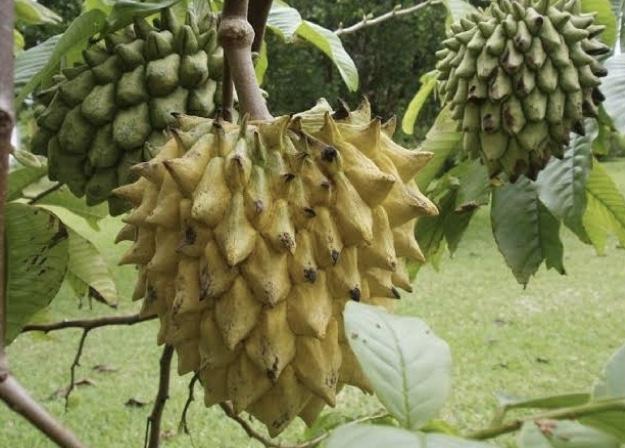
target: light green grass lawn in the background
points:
(552, 337)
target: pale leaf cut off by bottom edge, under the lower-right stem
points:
(563, 434)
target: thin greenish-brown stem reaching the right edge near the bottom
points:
(570, 413)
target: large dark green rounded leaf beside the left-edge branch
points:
(37, 256)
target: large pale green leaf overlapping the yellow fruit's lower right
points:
(407, 365)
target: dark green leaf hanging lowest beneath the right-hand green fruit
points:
(525, 231)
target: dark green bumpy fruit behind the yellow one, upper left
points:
(111, 111)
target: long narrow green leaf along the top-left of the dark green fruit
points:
(82, 28)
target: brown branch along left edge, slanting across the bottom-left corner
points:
(11, 391)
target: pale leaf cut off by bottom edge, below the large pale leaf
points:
(372, 436)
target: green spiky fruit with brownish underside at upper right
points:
(519, 77)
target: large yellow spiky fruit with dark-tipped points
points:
(251, 239)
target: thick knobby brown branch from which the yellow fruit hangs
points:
(236, 36)
